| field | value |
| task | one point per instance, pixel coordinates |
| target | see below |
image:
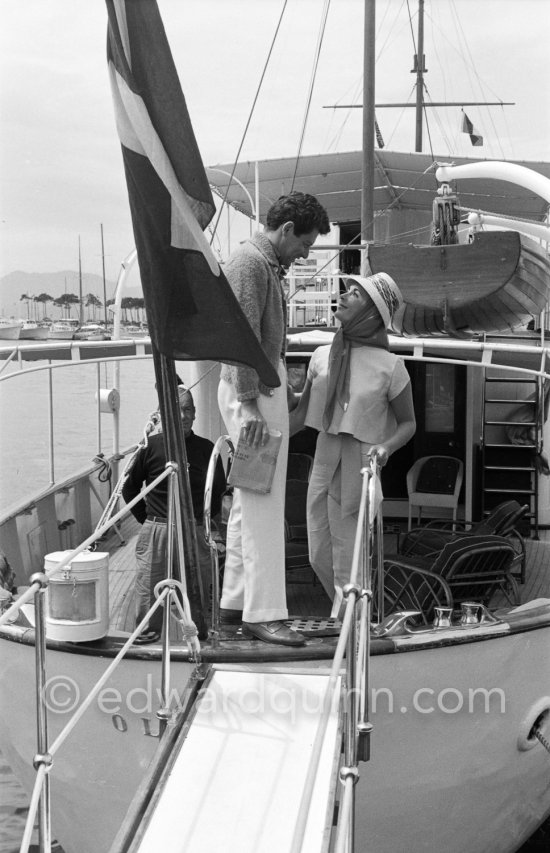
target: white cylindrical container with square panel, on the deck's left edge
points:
(77, 597)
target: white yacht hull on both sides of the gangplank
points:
(442, 775)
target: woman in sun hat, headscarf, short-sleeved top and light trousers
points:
(358, 395)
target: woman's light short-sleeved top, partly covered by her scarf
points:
(376, 378)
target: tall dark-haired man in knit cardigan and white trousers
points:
(254, 578)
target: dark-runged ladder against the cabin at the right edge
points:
(512, 435)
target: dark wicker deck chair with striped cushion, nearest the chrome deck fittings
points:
(469, 568)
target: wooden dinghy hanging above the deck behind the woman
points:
(496, 283)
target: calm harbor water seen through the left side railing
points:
(24, 421)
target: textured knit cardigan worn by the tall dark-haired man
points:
(253, 271)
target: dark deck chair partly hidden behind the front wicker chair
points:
(501, 521)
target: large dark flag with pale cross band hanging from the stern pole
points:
(191, 309)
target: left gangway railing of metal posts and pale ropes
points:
(169, 593)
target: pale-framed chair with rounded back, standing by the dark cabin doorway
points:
(434, 481)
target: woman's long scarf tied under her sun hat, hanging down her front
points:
(364, 330)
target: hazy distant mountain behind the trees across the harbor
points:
(15, 284)
